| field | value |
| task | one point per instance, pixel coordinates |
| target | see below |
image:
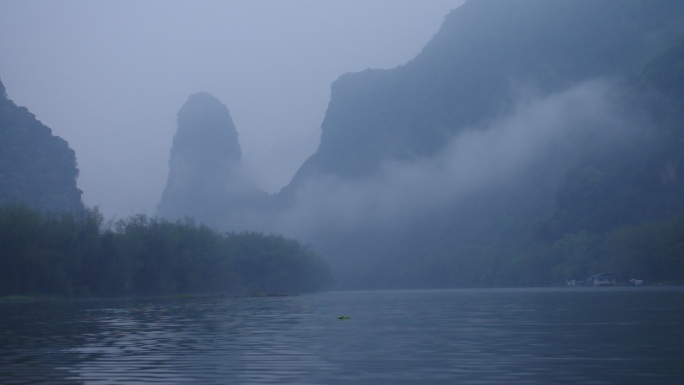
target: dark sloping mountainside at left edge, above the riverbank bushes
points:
(37, 168)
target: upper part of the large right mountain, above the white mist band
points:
(486, 53)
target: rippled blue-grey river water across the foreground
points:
(525, 336)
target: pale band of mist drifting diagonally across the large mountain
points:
(540, 129)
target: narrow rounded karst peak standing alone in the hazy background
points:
(205, 179)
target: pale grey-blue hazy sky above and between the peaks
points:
(110, 76)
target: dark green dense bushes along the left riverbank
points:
(80, 255)
